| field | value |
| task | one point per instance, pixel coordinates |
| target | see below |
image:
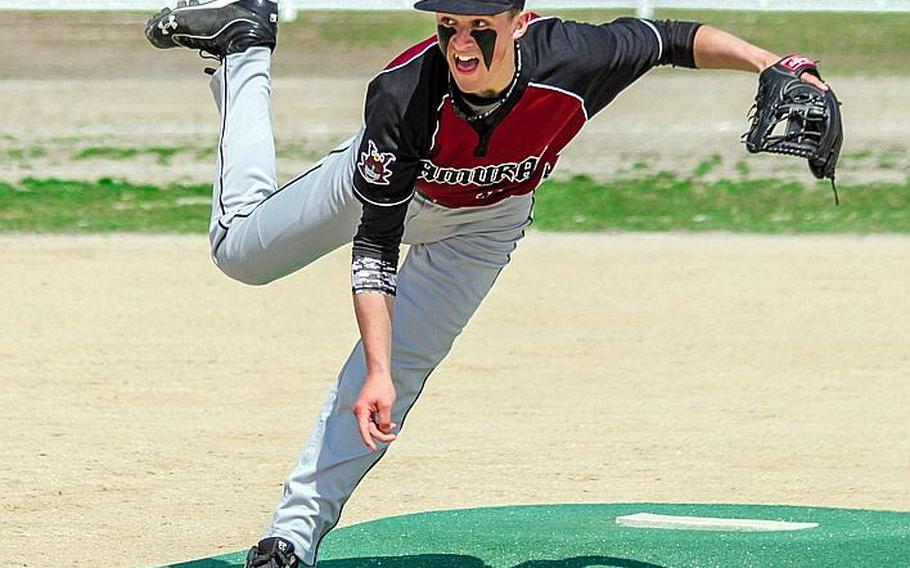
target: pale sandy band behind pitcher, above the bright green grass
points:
(670, 121)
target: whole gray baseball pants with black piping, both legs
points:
(260, 232)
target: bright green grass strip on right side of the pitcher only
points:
(666, 202)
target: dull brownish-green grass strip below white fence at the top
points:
(360, 43)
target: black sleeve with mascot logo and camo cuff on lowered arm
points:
(388, 161)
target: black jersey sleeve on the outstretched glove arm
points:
(616, 54)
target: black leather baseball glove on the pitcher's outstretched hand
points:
(790, 116)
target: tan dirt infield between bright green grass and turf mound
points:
(153, 406)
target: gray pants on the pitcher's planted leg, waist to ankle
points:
(441, 284)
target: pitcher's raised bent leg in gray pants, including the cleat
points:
(258, 231)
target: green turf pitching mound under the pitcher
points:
(582, 536)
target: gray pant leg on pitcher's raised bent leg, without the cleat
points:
(260, 232)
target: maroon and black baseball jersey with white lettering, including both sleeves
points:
(422, 135)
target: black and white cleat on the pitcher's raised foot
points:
(218, 27)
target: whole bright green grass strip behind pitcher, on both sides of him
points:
(661, 202)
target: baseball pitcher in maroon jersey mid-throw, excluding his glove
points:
(458, 132)
